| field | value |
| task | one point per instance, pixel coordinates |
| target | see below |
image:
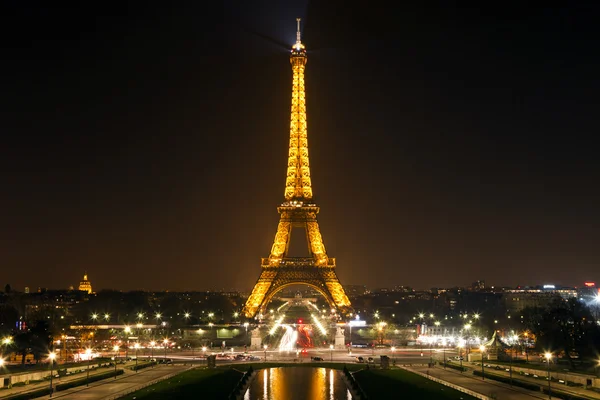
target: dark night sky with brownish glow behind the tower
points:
(148, 145)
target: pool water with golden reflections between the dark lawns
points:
(298, 383)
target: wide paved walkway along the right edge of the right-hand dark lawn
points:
(488, 387)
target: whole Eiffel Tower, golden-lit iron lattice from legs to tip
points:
(297, 211)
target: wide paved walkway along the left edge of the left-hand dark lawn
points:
(110, 388)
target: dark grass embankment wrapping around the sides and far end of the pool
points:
(219, 382)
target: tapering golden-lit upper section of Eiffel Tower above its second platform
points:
(297, 183)
